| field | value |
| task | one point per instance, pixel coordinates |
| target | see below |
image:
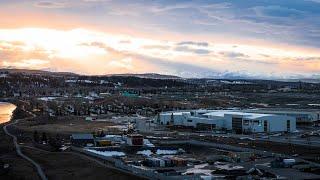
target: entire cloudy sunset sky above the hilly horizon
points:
(200, 38)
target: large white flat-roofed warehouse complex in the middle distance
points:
(239, 122)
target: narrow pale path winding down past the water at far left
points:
(18, 149)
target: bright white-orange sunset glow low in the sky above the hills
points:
(72, 50)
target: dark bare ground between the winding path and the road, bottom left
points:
(68, 166)
